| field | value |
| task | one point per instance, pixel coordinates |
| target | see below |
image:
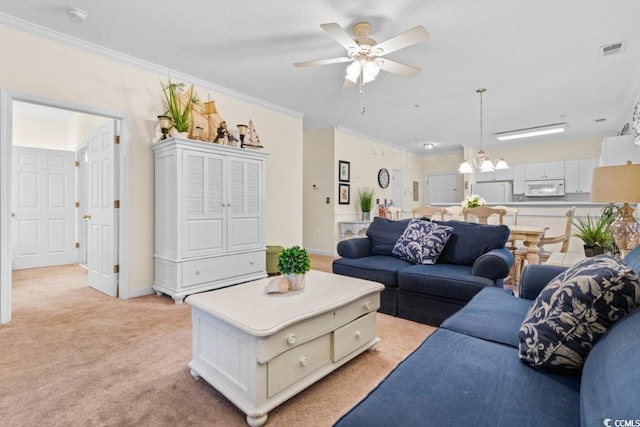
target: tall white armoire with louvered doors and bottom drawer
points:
(209, 222)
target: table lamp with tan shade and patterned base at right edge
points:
(619, 184)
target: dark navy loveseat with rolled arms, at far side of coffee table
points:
(473, 258)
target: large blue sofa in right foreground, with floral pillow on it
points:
(469, 372)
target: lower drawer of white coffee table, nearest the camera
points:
(297, 363)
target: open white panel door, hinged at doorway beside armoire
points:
(101, 215)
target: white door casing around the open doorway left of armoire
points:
(10, 105)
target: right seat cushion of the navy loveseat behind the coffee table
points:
(443, 280)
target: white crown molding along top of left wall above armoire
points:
(29, 27)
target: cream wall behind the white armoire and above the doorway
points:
(70, 74)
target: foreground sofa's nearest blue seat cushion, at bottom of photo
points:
(457, 380)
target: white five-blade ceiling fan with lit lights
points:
(366, 55)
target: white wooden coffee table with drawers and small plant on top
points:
(260, 349)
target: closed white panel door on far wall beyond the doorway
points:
(43, 225)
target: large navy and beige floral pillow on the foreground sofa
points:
(574, 310)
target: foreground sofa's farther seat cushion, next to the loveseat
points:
(494, 314)
